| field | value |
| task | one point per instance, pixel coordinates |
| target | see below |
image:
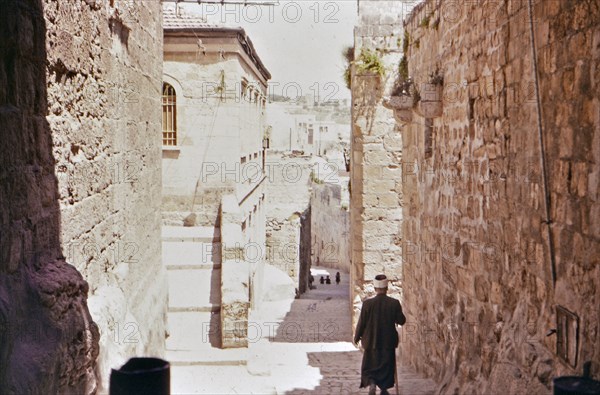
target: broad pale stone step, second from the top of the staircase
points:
(182, 254)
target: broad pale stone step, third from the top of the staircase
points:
(194, 288)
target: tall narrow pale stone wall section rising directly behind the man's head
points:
(376, 199)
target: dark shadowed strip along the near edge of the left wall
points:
(48, 341)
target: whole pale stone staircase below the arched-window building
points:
(192, 257)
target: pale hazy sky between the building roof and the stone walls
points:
(300, 42)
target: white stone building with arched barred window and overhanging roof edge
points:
(214, 102)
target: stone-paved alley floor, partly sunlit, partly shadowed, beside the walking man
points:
(298, 346)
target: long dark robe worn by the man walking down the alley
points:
(376, 329)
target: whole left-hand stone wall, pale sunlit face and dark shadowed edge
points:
(81, 113)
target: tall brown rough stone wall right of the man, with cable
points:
(478, 279)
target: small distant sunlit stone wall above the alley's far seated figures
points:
(330, 227)
